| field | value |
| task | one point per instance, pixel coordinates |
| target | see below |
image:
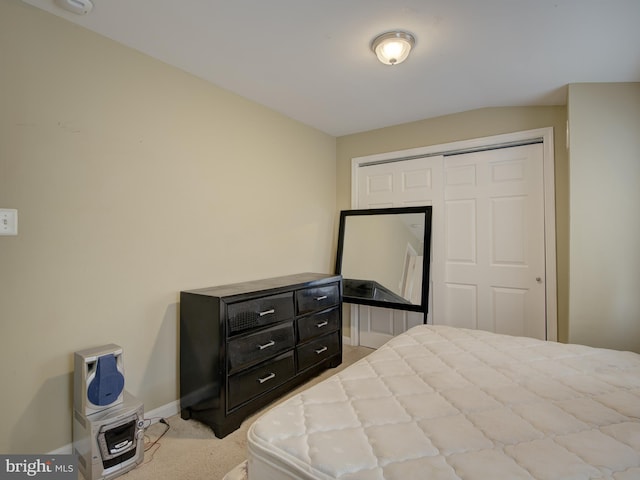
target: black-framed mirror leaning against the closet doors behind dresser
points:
(384, 256)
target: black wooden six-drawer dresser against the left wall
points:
(246, 344)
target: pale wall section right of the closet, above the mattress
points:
(604, 126)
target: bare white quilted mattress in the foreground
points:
(447, 403)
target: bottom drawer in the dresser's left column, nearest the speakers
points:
(247, 385)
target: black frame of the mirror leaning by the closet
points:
(424, 305)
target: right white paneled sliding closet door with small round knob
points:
(494, 260)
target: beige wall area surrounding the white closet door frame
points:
(462, 126)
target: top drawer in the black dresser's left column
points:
(258, 312)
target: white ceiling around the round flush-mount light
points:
(311, 59)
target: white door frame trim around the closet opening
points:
(544, 135)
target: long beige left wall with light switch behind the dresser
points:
(133, 180)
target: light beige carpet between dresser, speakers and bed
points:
(190, 450)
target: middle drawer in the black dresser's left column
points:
(254, 348)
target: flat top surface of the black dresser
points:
(267, 285)
